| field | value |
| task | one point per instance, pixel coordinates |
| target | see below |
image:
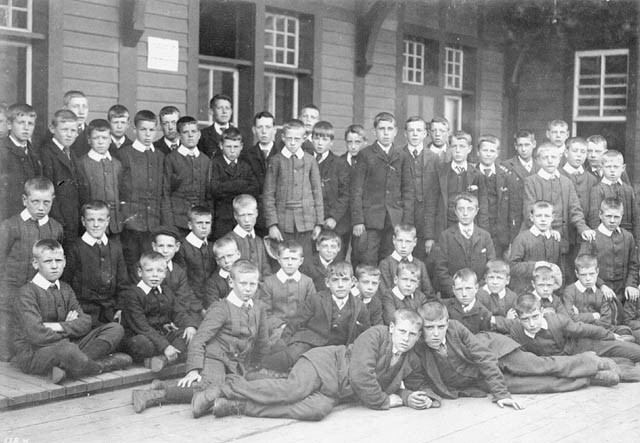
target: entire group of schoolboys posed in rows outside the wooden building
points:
(451, 288)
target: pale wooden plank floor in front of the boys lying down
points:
(596, 414)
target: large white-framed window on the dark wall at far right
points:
(600, 85)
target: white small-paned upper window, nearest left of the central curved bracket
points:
(281, 40)
